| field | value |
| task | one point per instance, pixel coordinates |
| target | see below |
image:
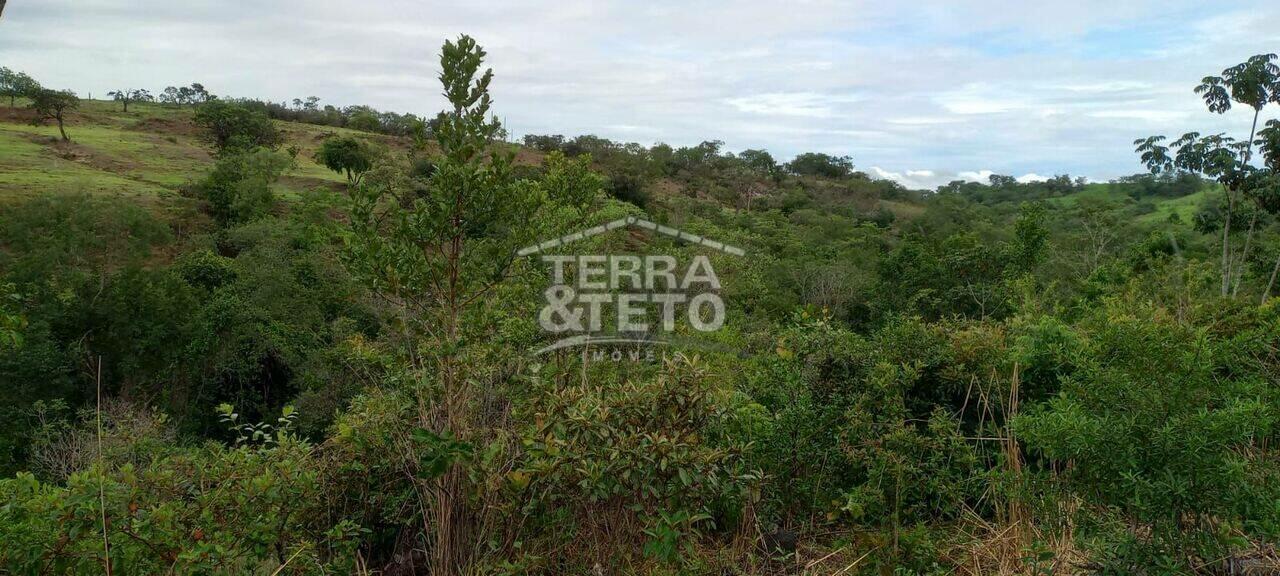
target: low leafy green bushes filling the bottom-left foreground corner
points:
(205, 510)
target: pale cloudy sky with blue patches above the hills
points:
(924, 93)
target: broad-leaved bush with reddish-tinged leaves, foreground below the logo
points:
(642, 460)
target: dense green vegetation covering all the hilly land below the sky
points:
(249, 339)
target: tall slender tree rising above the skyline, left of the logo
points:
(437, 253)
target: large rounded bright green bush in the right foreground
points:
(1155, 428)
